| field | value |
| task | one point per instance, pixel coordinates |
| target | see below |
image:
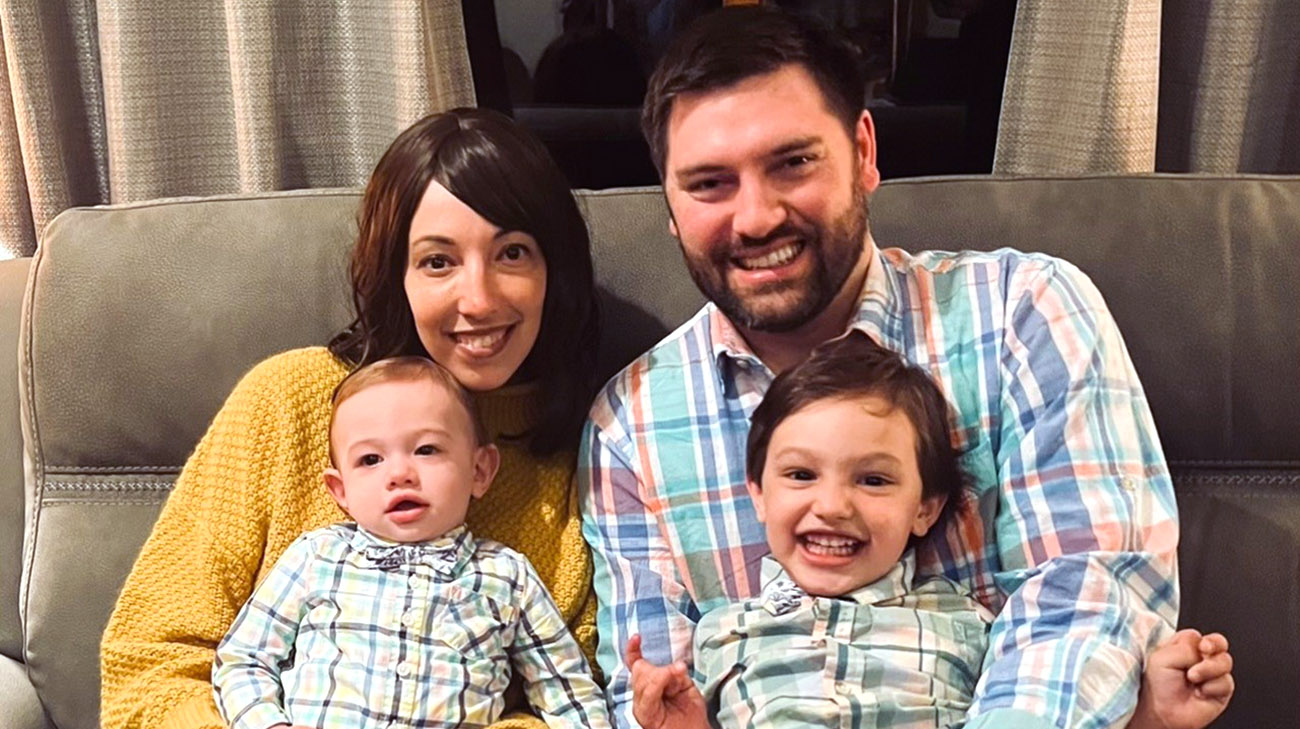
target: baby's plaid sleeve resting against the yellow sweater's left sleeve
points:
(246, 671)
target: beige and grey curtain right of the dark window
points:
(1139, 86)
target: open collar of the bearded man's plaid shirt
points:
(877, 309)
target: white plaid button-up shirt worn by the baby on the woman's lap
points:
(350, 632)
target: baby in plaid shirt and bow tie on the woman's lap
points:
(402, 618)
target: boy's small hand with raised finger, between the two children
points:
(664, 697)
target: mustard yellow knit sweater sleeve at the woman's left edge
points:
(201, 562)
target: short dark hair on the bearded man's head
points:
(733, 45)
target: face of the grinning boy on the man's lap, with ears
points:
(842, 494)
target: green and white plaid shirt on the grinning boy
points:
(891, 656)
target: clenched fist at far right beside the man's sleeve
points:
(1188, 683)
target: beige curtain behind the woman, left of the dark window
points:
(118, 101)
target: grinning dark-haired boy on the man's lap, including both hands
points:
(850, 466)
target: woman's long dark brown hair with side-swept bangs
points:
(506, 176)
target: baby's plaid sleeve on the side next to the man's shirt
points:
(557, 678)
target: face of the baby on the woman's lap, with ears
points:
(406, 461)
